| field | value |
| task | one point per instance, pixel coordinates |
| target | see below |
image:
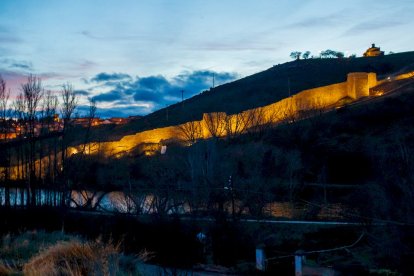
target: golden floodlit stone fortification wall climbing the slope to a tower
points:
(356, 86)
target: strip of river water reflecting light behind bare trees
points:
(121, 202)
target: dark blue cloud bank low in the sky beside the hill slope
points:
(147, 94)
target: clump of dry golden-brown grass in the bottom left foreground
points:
(75, 258)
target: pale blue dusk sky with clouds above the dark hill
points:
(135, 57)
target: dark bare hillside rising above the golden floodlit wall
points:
(262, 88)
